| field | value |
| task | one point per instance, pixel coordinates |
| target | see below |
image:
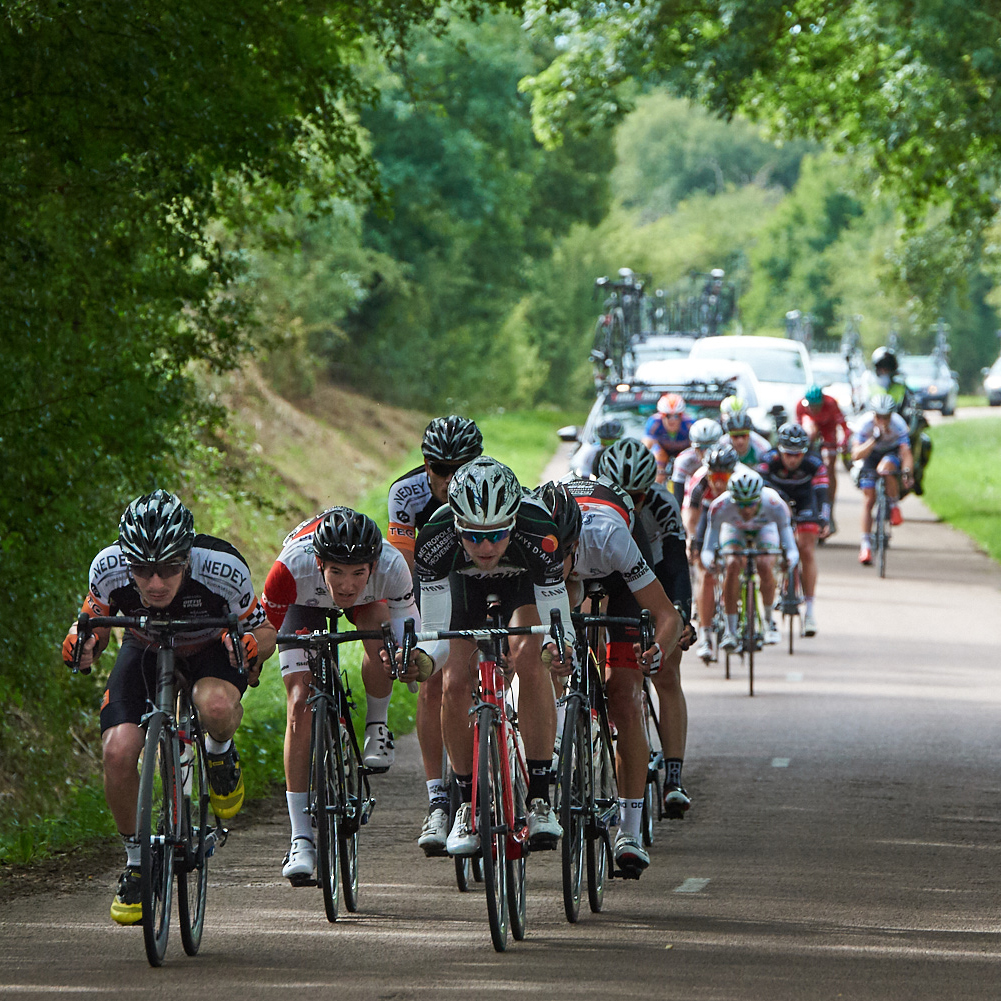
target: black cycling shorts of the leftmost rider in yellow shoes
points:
(132, 689)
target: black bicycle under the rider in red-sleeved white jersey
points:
(341, 801)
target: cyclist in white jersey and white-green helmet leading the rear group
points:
(749, 515)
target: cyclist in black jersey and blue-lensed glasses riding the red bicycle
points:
(491, 540)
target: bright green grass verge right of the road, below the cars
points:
(963, 483)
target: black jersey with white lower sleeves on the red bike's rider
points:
(533, 559)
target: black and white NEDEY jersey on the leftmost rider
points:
(217, 584)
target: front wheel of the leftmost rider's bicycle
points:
(158, 835)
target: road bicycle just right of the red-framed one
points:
(587, 799)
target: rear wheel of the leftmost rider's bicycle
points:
(193, 879)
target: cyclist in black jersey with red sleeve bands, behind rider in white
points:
(801, 480)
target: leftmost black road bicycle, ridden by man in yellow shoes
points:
(173, 825)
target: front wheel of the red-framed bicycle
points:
(492, 828)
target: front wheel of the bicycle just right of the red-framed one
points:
(573, 803)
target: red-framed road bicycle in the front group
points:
(500, 771)
